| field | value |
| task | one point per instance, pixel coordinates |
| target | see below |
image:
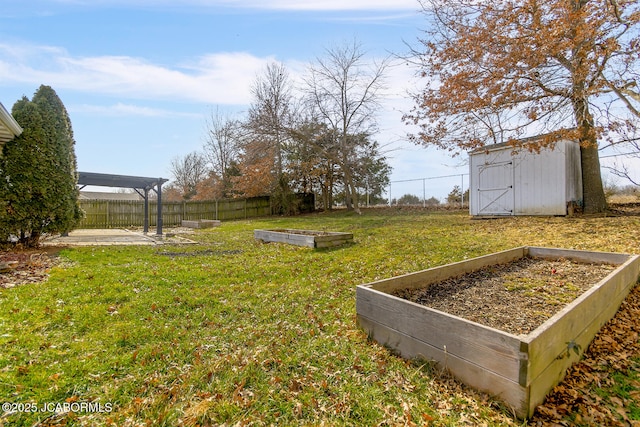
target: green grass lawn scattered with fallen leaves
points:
(234, 331)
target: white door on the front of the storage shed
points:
(495, 188)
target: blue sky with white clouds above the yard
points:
(140, 78)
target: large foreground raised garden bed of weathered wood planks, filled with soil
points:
(517, 360)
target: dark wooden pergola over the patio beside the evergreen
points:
(140, 184)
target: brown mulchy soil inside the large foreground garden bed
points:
(516, 297)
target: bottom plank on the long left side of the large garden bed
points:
(470, 373)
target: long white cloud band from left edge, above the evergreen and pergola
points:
(220, 78)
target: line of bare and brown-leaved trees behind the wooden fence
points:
(316, 135)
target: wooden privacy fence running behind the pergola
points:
(127, 213)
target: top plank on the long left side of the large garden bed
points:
(477, 344)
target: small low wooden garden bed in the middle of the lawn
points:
(309, 238)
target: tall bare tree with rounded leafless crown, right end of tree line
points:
(344, 91)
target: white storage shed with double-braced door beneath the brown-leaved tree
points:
(504, 181)
